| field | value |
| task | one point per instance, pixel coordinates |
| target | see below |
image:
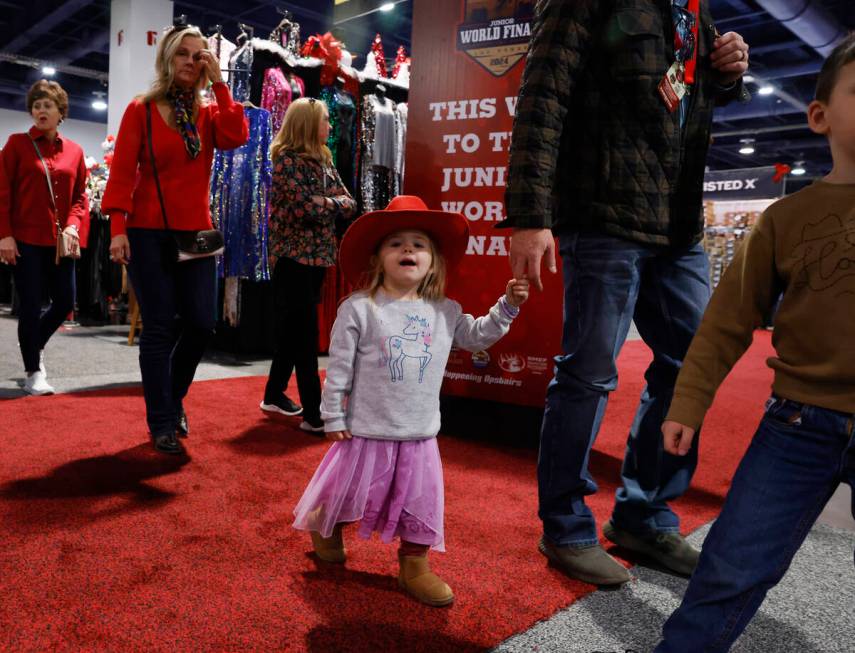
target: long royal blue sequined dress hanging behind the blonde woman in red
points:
(240, 200)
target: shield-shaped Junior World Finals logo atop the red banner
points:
(495, 33)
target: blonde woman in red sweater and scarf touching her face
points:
(177, 300)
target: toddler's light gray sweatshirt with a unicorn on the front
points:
(387, 360)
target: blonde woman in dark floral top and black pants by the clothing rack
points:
(307, 197)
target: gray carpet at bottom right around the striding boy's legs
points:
(811, 610)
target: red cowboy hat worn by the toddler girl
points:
(449, 232)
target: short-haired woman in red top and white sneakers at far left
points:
(28, 223)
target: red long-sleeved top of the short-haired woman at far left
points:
(26, 212)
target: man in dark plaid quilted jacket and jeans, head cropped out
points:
(608, 153)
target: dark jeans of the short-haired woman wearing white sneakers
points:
(36, 271)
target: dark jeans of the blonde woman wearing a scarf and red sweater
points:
(178, 308)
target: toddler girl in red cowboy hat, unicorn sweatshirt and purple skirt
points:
(388, 351)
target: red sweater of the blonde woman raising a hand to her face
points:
(185, 182)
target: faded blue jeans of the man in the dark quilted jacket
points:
(608, 282)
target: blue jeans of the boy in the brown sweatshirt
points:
(798, 457)
